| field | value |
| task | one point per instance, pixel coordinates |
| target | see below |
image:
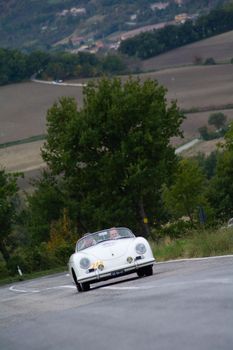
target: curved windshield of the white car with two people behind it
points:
(113, 233)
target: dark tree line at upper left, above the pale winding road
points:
(16, 66)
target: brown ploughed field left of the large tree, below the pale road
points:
(24, 107)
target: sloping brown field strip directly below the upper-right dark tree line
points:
(219, 47)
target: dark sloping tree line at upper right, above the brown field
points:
(150, 44)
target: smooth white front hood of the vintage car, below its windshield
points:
(110, 249)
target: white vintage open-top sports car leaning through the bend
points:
(107, 254)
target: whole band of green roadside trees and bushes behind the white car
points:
(111, 163)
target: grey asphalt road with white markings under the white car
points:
(184, 305)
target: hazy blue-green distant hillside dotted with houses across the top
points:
(35, 24)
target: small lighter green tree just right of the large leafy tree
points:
(186, 195)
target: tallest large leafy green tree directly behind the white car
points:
(114, 153)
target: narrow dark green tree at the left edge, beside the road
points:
(8, 208)
